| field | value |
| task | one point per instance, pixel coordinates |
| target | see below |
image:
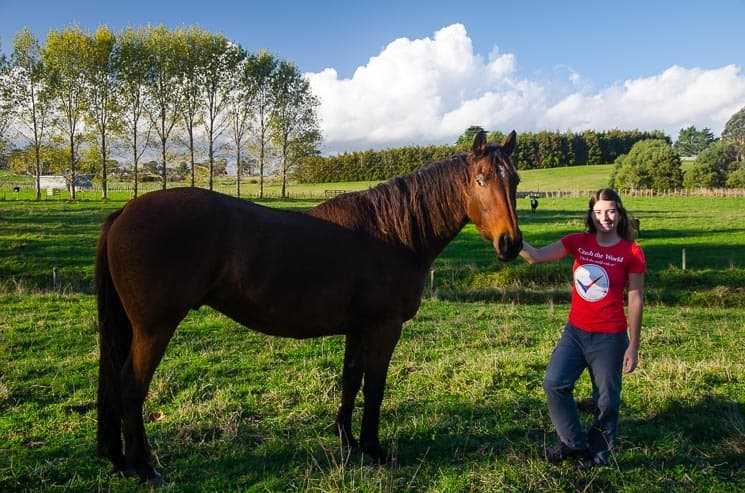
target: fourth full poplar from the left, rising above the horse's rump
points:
(132, 70)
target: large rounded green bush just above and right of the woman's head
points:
(651, 164)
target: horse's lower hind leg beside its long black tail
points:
(145, 354)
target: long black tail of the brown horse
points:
(115, 339)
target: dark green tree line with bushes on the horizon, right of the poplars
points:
(643, 160)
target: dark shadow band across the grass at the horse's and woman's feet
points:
(702, 442)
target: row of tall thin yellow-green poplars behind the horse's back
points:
(86, 97)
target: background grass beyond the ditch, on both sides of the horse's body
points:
(38, 237)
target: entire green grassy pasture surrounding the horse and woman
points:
(231, 409)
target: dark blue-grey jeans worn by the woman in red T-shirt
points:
(602, 354)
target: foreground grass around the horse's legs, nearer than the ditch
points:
(231, 409)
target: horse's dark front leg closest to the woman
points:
(376, 356)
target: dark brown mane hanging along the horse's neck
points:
(412, 210)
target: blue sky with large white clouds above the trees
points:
(419, 72)
